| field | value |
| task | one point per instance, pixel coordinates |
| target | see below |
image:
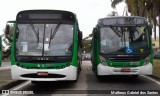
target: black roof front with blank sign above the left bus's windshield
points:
(45, 14)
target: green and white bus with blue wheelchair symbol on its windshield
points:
(122, 46)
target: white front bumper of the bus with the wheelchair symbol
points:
(107, 70)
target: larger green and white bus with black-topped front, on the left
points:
(46, 46)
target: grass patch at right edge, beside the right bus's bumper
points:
(156, 67)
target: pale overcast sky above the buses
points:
(88, 11)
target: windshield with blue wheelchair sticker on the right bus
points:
(124, 40)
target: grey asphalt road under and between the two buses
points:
(88, 84)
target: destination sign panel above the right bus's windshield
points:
(122, 20)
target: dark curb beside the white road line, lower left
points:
(11, 84)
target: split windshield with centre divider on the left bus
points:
(44, 39)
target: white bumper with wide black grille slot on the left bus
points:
(68, 73)
